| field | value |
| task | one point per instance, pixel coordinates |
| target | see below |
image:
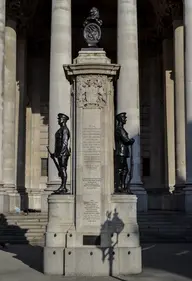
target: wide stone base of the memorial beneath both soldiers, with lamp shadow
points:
(113, 248)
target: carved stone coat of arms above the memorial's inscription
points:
(92, 91)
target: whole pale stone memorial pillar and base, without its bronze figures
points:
(99, 234)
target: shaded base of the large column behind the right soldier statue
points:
(142, 202)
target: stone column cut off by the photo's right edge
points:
(188, 101)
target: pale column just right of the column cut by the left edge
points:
(9, 167)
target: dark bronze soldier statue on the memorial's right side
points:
(122, 153)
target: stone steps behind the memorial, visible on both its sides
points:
(155, 227)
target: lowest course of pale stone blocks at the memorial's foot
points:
(92, 261)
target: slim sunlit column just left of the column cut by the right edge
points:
(180, 156)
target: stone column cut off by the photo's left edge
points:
(3, 196)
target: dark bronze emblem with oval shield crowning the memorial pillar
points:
(92, 30)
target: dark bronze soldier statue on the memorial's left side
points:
(62, 152)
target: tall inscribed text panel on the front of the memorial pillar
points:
(91, 161)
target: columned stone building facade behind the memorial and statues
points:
(146, 37)
